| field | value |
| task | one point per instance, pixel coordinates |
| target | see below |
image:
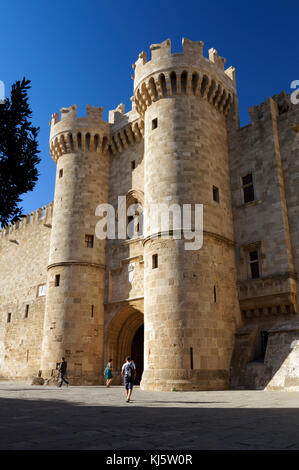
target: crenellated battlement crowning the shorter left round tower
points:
(74, 134)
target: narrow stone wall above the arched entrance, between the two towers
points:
(124, 256)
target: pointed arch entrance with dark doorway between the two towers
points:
(124, 337)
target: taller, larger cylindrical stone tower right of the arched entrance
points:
(190, 296)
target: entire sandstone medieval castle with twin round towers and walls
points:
(224, 316)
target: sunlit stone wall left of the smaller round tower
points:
(24, 255)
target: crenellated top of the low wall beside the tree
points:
(41, 215)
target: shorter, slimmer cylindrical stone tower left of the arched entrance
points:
(74, 317)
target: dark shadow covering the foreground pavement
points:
(59, 424)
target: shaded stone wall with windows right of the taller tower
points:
(267, 149)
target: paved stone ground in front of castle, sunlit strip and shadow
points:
(36, 417)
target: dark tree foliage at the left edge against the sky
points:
(18, 152)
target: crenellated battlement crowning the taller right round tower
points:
(189, 73)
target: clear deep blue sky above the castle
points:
(78, 52)
